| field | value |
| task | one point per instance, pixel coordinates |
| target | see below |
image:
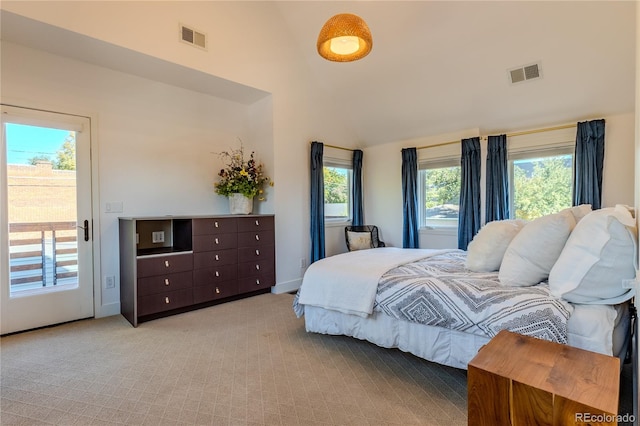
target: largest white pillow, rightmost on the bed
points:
(599, 254)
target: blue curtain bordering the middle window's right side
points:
(469, 217)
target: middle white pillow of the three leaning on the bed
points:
(535, 249)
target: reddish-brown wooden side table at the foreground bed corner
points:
(520, 380)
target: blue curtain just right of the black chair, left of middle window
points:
(410, 236)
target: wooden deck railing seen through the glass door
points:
(42, 253)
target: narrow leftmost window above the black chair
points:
(338, 178)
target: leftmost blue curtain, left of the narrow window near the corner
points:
(317, 203)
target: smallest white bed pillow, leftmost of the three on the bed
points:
(485, 251)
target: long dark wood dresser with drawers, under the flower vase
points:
(170, 265)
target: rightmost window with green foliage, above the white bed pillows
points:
(541, 183)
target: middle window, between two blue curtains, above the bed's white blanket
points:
(439, 193)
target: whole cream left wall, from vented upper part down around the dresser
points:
(280, 126)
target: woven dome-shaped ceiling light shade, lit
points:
(344, 38)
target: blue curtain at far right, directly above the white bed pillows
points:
(588, 161)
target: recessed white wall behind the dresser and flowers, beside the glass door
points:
(156, 143)
